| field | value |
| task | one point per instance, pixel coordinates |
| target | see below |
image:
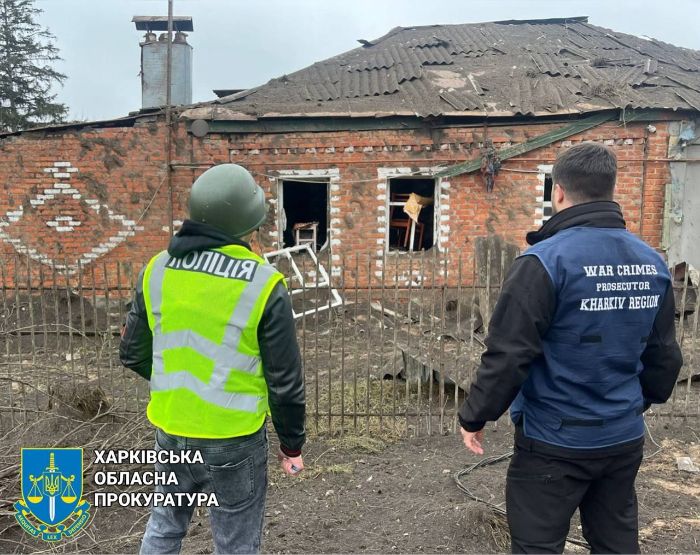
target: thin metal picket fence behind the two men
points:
(394, 357)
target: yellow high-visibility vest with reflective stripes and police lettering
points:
(204, 310)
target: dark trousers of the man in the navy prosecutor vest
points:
(543, 490)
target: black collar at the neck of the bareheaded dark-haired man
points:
(601, 213)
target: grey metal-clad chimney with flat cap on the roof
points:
(154, 61)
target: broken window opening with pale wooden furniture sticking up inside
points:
(411, 214)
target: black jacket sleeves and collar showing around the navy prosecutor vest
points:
(523, 315)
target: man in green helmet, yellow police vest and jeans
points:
(211, 328)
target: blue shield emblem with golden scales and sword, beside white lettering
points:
(52, 486)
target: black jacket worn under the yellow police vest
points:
(279, 350)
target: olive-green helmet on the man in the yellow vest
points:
(227, 198)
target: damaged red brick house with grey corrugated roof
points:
(462, 122)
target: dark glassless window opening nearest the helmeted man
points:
(304, 216)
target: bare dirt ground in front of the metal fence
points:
(359, 494)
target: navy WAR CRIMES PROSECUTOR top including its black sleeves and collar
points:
(580, 368)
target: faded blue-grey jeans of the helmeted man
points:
(235, 470)
